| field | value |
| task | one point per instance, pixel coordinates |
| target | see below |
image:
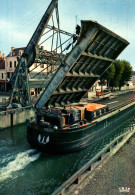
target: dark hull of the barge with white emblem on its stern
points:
(72, 140)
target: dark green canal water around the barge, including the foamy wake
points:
(24, 170)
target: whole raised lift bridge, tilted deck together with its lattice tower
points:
(75, 61)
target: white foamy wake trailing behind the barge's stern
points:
(21, 161)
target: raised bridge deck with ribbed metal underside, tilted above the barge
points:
(93, 53)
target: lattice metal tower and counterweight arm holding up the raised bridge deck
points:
(35, 53)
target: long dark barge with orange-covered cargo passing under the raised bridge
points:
(56, 132)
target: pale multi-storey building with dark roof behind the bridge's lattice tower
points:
(8, 65)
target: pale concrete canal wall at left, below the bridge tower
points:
(17, 116)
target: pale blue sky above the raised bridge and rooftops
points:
(19, 19)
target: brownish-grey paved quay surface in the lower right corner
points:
(117, 174)
